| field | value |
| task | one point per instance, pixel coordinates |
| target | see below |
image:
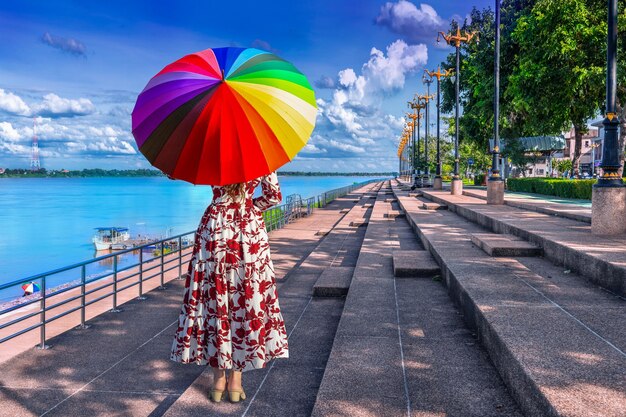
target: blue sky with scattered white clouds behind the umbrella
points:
(77, 67)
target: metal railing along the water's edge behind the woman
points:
(168, 254)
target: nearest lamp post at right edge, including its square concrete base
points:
(607, 201)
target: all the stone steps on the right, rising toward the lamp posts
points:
(556, 339)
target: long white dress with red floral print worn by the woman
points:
(230, 318)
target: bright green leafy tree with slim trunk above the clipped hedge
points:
(558, 82)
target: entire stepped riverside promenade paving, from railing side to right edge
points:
(396, 304)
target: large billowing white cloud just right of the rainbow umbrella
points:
(351, 124)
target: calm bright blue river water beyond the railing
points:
(47, 223)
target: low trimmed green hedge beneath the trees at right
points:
(559, 187)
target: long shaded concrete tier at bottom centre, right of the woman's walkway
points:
(404, 351)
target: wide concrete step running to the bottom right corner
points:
(556, 341)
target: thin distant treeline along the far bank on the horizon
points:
(97, 172)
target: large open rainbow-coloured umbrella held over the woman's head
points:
(224, 115)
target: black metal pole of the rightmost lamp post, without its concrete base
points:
(610, 151)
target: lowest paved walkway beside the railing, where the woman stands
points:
(120, 365)
